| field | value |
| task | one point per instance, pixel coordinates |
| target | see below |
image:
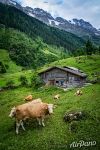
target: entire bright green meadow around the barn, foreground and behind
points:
(55, 135)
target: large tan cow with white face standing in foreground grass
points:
(30, 110)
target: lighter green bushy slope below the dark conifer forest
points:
(25, 51)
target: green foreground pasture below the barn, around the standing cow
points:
(55, 135)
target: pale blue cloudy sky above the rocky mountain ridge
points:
(89, 10)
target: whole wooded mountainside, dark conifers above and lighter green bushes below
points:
(32, 43)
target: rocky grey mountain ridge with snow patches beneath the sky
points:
(75, 26)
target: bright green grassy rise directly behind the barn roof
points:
(89, 64)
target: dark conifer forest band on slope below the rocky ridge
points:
(12, 17)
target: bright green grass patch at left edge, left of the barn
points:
(13, 71)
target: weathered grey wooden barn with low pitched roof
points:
(63, 76)
